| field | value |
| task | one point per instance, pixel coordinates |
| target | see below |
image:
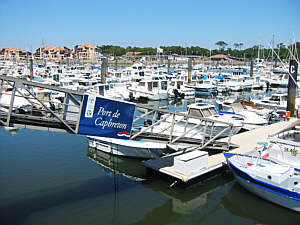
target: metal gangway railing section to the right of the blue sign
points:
(200, 125)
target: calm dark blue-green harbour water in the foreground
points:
(54, 178)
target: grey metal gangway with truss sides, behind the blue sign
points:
(63, 115)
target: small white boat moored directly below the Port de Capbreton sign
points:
(128, 148)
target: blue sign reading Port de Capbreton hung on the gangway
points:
(106, 117)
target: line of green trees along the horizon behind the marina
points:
(280, 49)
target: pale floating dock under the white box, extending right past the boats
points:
(247, 141)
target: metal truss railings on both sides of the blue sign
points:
(66, 119)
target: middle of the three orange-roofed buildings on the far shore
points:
(52, 53)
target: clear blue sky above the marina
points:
(30, 24)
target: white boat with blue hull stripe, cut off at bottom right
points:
(277, 183)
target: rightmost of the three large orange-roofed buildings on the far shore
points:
(87, 52)
